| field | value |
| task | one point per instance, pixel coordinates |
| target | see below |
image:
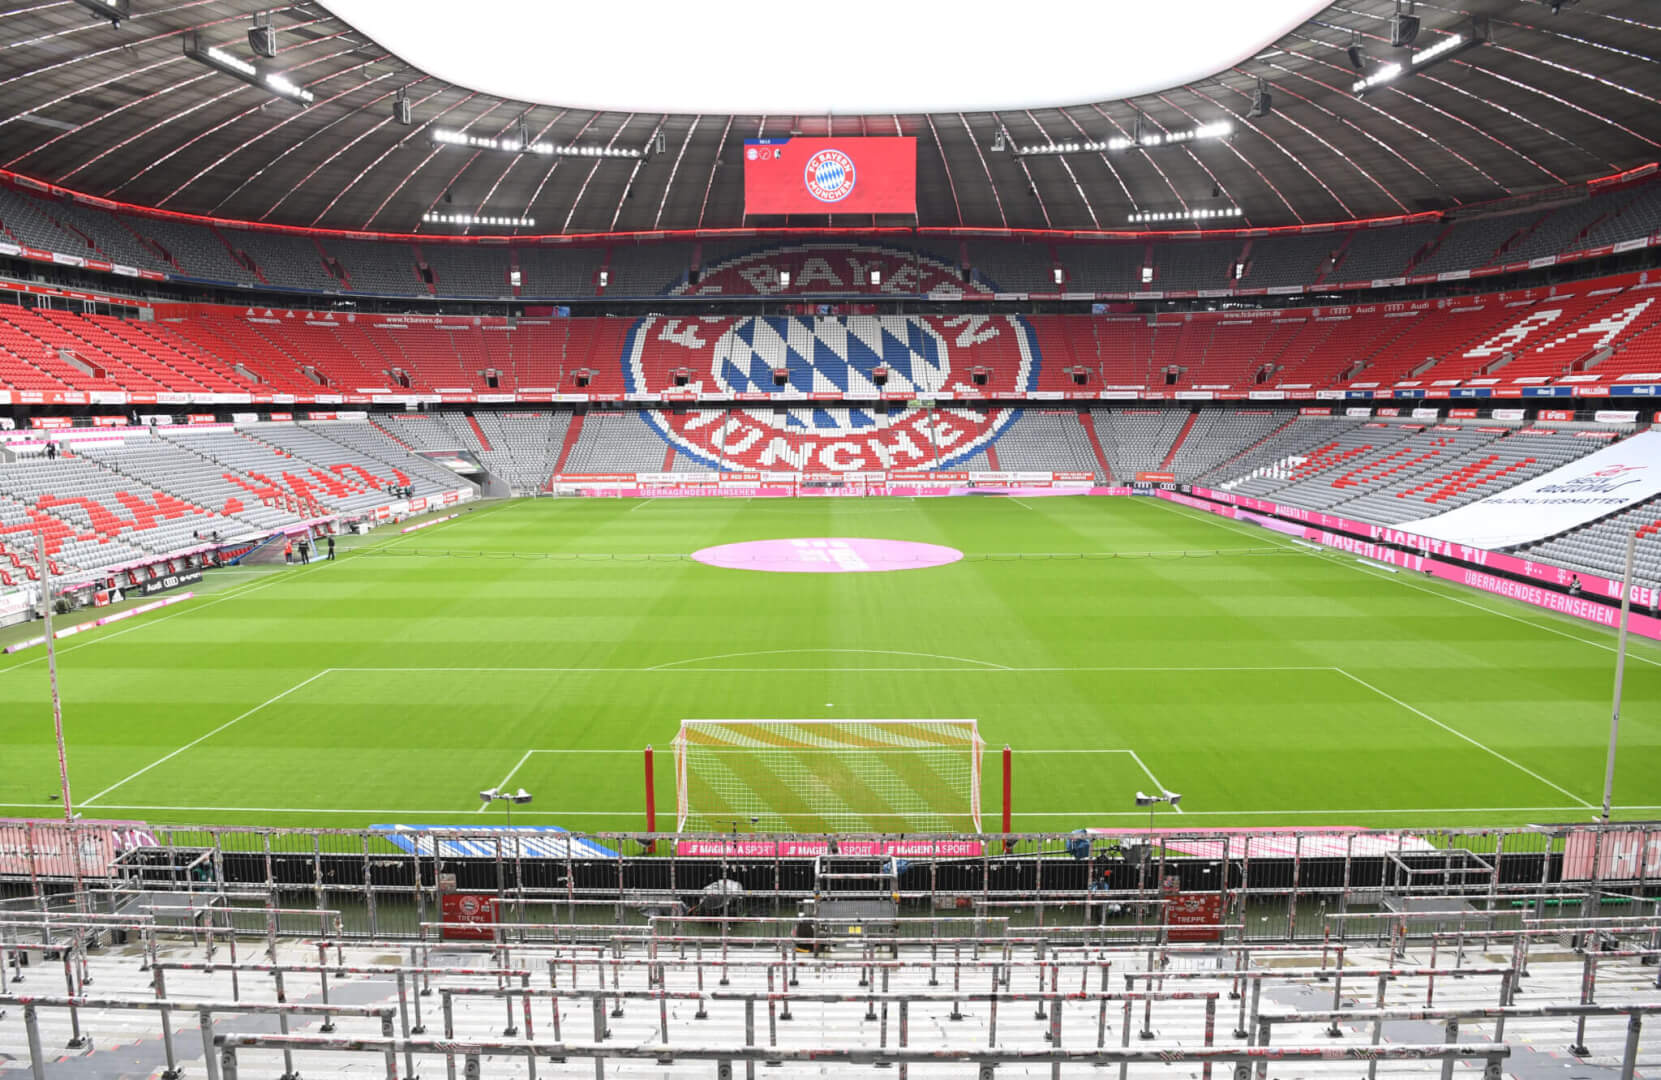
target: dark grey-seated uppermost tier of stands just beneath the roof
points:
(46, 225)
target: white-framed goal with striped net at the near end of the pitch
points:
(828, 775)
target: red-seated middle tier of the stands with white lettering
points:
(1577, 336)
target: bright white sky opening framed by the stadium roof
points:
(846, 57)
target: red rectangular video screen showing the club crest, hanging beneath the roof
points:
(861, 175)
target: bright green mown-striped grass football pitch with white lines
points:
(1114, 644)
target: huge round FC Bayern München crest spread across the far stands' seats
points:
(768, 371)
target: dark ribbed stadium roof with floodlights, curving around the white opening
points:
(124, 114)
